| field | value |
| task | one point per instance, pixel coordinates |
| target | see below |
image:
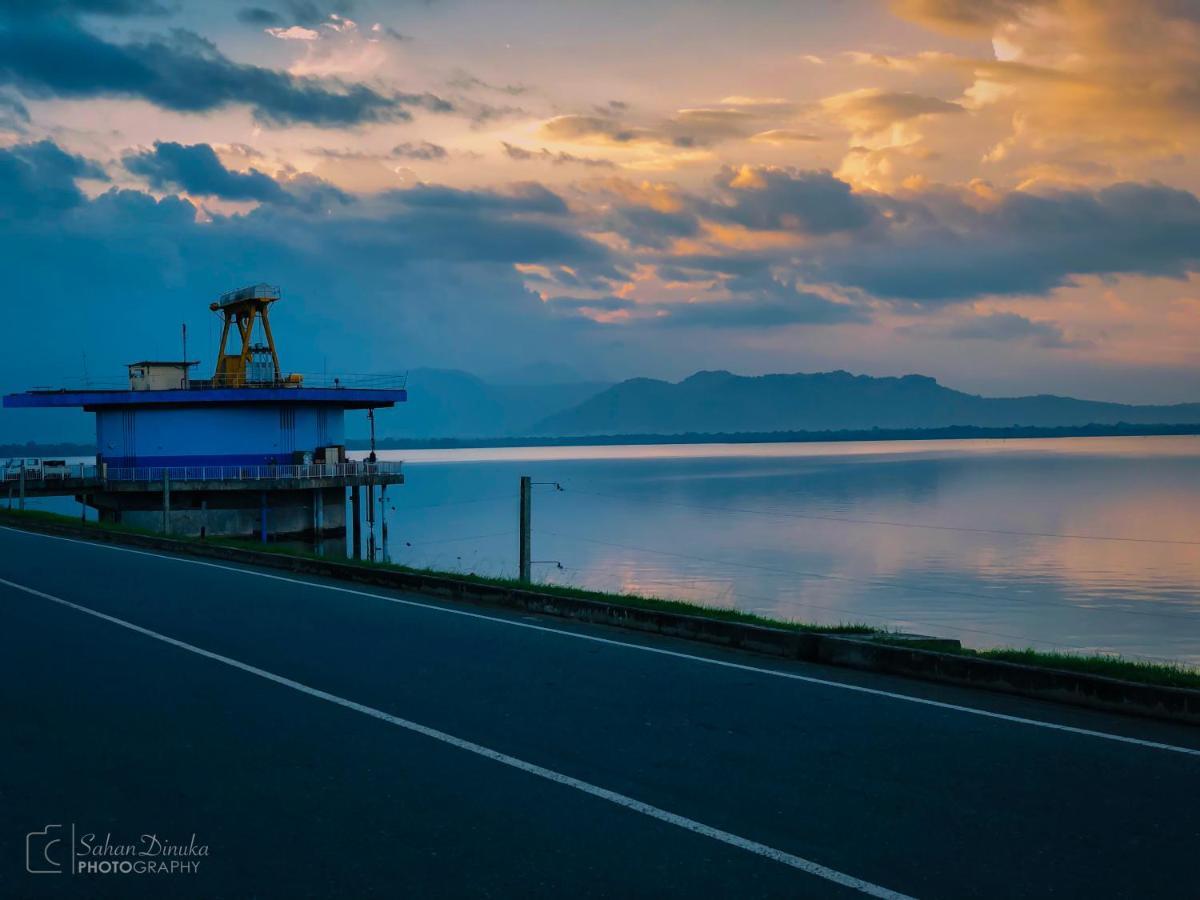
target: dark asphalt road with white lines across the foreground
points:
(327, 742)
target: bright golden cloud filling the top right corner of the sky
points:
(1105, 82)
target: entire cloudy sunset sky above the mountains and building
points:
(998, 194)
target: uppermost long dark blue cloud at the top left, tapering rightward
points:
(185, 74)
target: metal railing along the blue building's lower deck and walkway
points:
(205, 473)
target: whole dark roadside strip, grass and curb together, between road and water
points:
(1105, 682)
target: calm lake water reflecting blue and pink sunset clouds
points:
(1089, 544)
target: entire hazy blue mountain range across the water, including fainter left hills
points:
(542, 403)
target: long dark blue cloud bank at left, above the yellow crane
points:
(527, 224)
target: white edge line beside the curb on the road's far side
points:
(643, 649)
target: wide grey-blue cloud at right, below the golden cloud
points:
(939, 247)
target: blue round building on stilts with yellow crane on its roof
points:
(248, 452)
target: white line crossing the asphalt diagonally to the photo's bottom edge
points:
(734, 841)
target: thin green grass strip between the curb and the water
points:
(1113, 667)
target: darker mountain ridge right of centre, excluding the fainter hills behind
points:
(711, 403)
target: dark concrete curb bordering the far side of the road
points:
(1079, 689)
